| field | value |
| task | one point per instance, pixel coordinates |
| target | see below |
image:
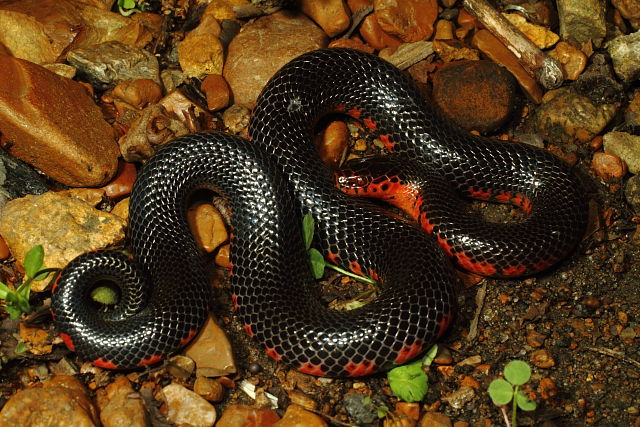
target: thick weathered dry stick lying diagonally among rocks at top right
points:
(546, 69)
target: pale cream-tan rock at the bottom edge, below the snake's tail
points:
(185, 407)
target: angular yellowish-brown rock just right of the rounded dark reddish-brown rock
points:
(565, 116)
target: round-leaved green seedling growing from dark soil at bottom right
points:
(503, 391)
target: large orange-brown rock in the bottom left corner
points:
(61, 401)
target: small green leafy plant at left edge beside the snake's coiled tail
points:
(17, 301)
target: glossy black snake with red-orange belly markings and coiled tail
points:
(274, 178)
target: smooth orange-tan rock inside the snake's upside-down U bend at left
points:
(208, 227)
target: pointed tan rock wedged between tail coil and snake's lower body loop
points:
(211, 351)
